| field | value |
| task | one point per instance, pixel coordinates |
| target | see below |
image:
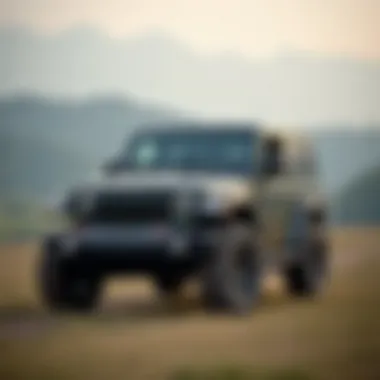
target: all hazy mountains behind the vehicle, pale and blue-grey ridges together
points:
(69, 123)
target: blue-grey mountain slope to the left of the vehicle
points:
(46, 146)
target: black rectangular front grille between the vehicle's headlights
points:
(132, 207)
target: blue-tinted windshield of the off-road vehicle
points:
(210, 151)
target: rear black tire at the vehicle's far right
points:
(306, 276)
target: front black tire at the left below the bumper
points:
(62, 288)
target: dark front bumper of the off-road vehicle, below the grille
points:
(132, 250)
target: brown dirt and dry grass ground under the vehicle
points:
(135, 336)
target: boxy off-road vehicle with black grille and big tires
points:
(217, 202)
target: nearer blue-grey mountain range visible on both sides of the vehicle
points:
(47, 146)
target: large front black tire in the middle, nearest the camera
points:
(232, 277)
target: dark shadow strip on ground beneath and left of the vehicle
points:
(132, 309)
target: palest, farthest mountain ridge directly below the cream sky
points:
(294, 87)
